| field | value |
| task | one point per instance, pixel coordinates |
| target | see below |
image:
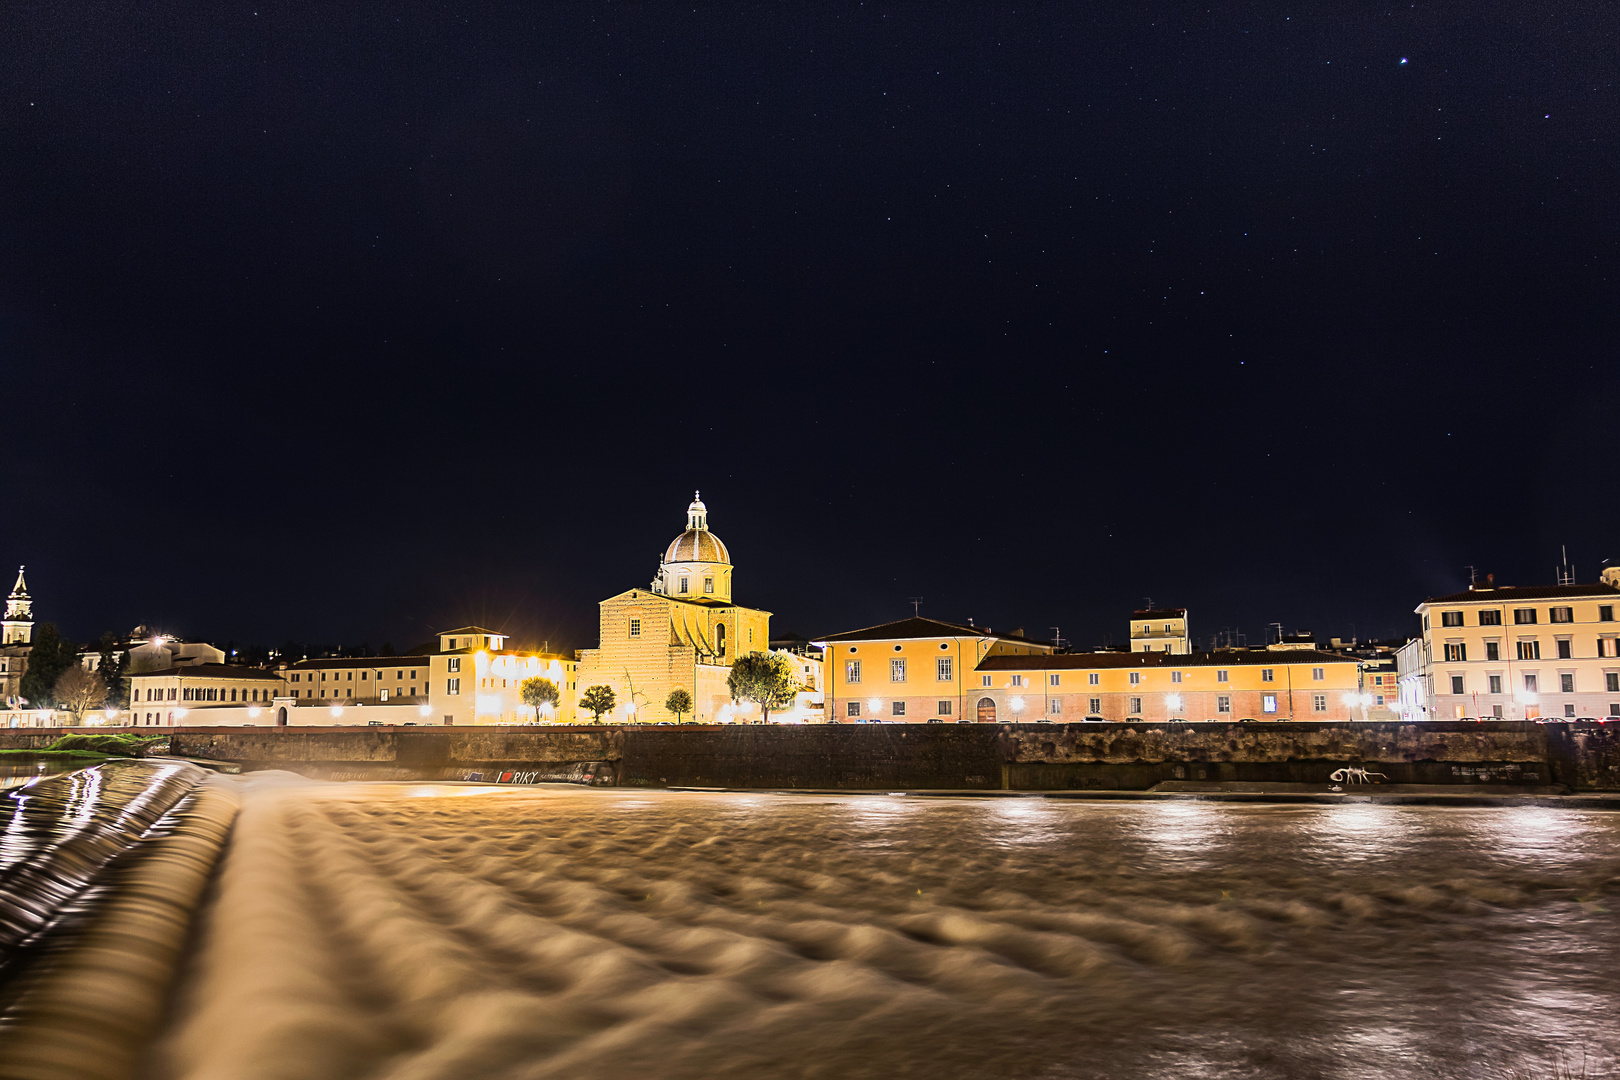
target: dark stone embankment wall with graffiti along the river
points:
(965, 757)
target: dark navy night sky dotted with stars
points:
(352, 323)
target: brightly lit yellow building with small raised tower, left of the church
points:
(475, 679)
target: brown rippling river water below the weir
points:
(417, 932)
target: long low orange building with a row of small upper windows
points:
(1248, 684)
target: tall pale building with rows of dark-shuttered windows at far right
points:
(1522, 653)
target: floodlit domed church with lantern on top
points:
(681, 632)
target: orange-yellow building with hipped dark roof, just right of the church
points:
(914, 671)
